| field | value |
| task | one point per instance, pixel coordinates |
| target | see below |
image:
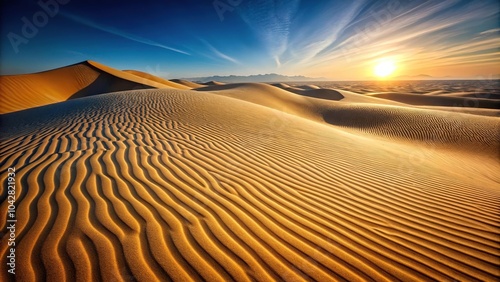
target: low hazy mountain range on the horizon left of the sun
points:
(271, 77)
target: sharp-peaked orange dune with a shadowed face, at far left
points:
(19, 92)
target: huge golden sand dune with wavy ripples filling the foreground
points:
(251, 182)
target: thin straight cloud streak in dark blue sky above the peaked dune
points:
(119, 33)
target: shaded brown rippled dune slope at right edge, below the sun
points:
(452, 130)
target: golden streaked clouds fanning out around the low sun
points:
(419, 35)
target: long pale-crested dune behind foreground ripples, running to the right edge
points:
(453, 130)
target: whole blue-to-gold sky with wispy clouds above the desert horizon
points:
(338, 40)
